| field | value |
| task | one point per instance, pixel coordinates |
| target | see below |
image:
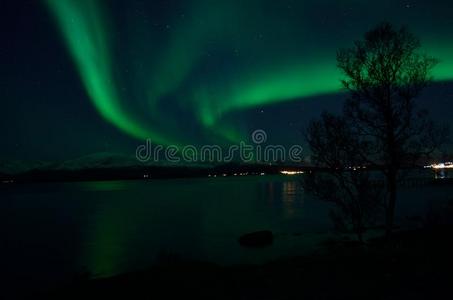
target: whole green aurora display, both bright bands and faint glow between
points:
(291, 67)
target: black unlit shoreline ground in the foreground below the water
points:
(412, 265)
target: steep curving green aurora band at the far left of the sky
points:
(82, 25)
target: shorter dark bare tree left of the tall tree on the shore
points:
(335, 149)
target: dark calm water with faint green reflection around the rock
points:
(53, 231)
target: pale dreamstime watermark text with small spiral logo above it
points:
(259, 151)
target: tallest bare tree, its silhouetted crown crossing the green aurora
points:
(385, 73)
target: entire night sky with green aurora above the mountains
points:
(86, 76)
